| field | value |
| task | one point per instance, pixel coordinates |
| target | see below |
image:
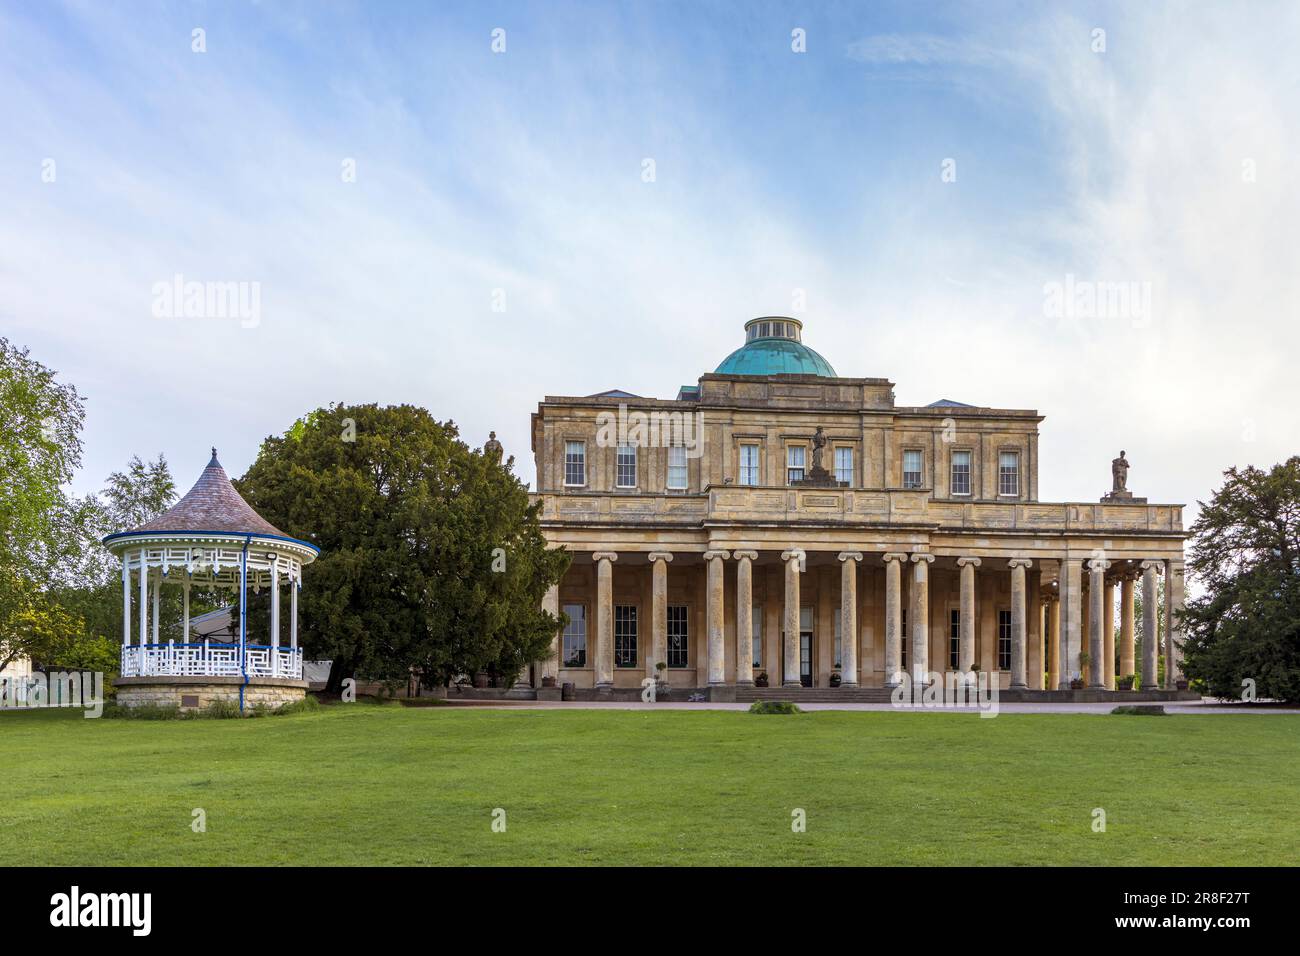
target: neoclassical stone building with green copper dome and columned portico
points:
(778, 520)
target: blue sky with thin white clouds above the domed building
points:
(778, 176)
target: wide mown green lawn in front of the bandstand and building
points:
(369, 785)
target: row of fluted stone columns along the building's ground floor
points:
(1081, 637)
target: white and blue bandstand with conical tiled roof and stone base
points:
(210, 540)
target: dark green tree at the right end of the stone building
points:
(1246, 556)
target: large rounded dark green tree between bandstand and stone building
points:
(432, 559)
